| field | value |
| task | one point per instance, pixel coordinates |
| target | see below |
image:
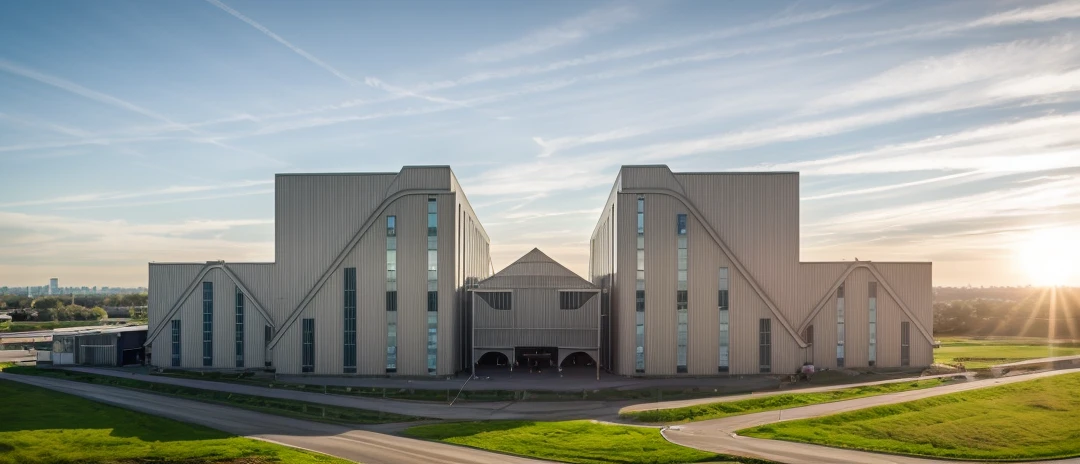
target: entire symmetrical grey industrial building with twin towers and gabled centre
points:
(389, 275)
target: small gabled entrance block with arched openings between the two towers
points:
(538, 315)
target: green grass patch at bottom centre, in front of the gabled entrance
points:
(571, 442)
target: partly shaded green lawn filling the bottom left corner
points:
(45, 427)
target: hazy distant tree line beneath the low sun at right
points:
(1033, 313)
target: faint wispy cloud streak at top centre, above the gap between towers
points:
(572, 31)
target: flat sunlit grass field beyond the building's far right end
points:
(982, 354)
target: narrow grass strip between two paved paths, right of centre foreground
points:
(773, 403)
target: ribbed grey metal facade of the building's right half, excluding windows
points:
(755, 217)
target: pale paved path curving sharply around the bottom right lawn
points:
(719, 435)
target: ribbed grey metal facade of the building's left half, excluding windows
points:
(326, 224)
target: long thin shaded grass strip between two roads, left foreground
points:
(291, 408)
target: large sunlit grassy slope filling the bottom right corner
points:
(1034, 420)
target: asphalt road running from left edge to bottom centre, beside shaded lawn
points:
(356, 445)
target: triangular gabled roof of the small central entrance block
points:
(535, 270)
